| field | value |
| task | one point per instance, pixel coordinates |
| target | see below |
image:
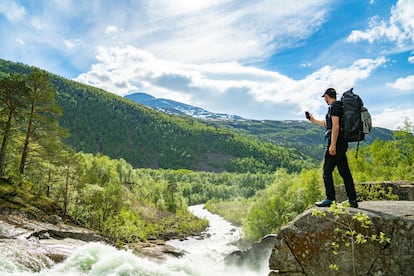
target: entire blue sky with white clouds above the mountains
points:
(264, 59)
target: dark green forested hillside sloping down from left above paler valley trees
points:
(101, 122)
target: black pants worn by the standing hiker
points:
(341, 162)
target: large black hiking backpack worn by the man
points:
(356, 121)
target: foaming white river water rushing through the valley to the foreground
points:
(203, 257)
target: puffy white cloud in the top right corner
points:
(398, 29)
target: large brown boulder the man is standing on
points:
(317, 245)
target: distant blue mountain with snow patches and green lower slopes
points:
(301, 135)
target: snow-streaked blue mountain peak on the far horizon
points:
(177, 108)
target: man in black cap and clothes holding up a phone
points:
(335, 154)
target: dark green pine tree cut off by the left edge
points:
(12, 94)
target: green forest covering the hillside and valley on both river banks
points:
(262, 190)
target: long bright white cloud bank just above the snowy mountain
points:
(221, 87)
